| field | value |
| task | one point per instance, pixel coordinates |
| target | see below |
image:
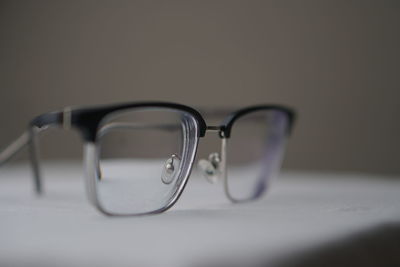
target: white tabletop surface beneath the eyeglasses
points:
(301, 213)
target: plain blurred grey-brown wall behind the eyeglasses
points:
(336, 62)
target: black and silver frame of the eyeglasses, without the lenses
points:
(87, 122)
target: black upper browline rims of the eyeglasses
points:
(87, 120)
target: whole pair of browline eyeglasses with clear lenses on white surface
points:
(139, 156)
